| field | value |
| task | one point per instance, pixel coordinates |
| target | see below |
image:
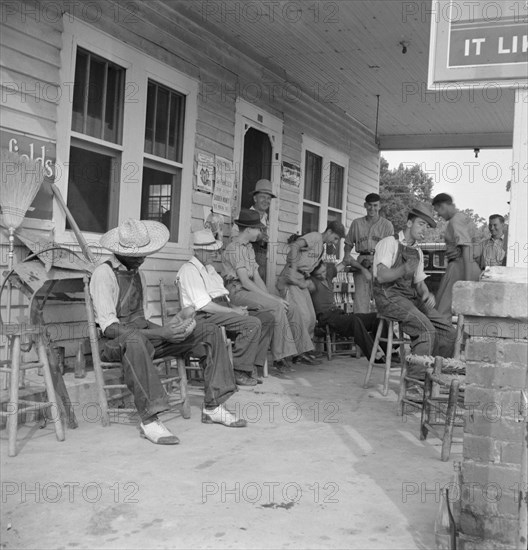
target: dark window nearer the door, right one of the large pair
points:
(161, 189)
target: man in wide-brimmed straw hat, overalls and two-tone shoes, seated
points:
(118, 291)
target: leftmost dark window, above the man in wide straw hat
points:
(97, 112)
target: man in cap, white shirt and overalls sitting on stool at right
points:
(400, 290)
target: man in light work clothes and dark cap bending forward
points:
(304, 255)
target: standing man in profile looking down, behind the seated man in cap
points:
(463, 254)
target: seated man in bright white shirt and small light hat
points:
(203, 289)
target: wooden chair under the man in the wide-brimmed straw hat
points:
(175, 386)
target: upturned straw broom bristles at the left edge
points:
(20, 181)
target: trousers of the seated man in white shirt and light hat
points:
(251, 336)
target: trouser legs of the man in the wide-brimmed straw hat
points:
(135, 351)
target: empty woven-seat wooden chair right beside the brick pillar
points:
(443, 401)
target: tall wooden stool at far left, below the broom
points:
(14, 367)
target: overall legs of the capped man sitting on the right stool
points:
(430, 332)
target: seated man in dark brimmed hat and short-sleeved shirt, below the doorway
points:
(246, 287)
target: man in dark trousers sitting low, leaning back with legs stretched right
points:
(361, 326)
